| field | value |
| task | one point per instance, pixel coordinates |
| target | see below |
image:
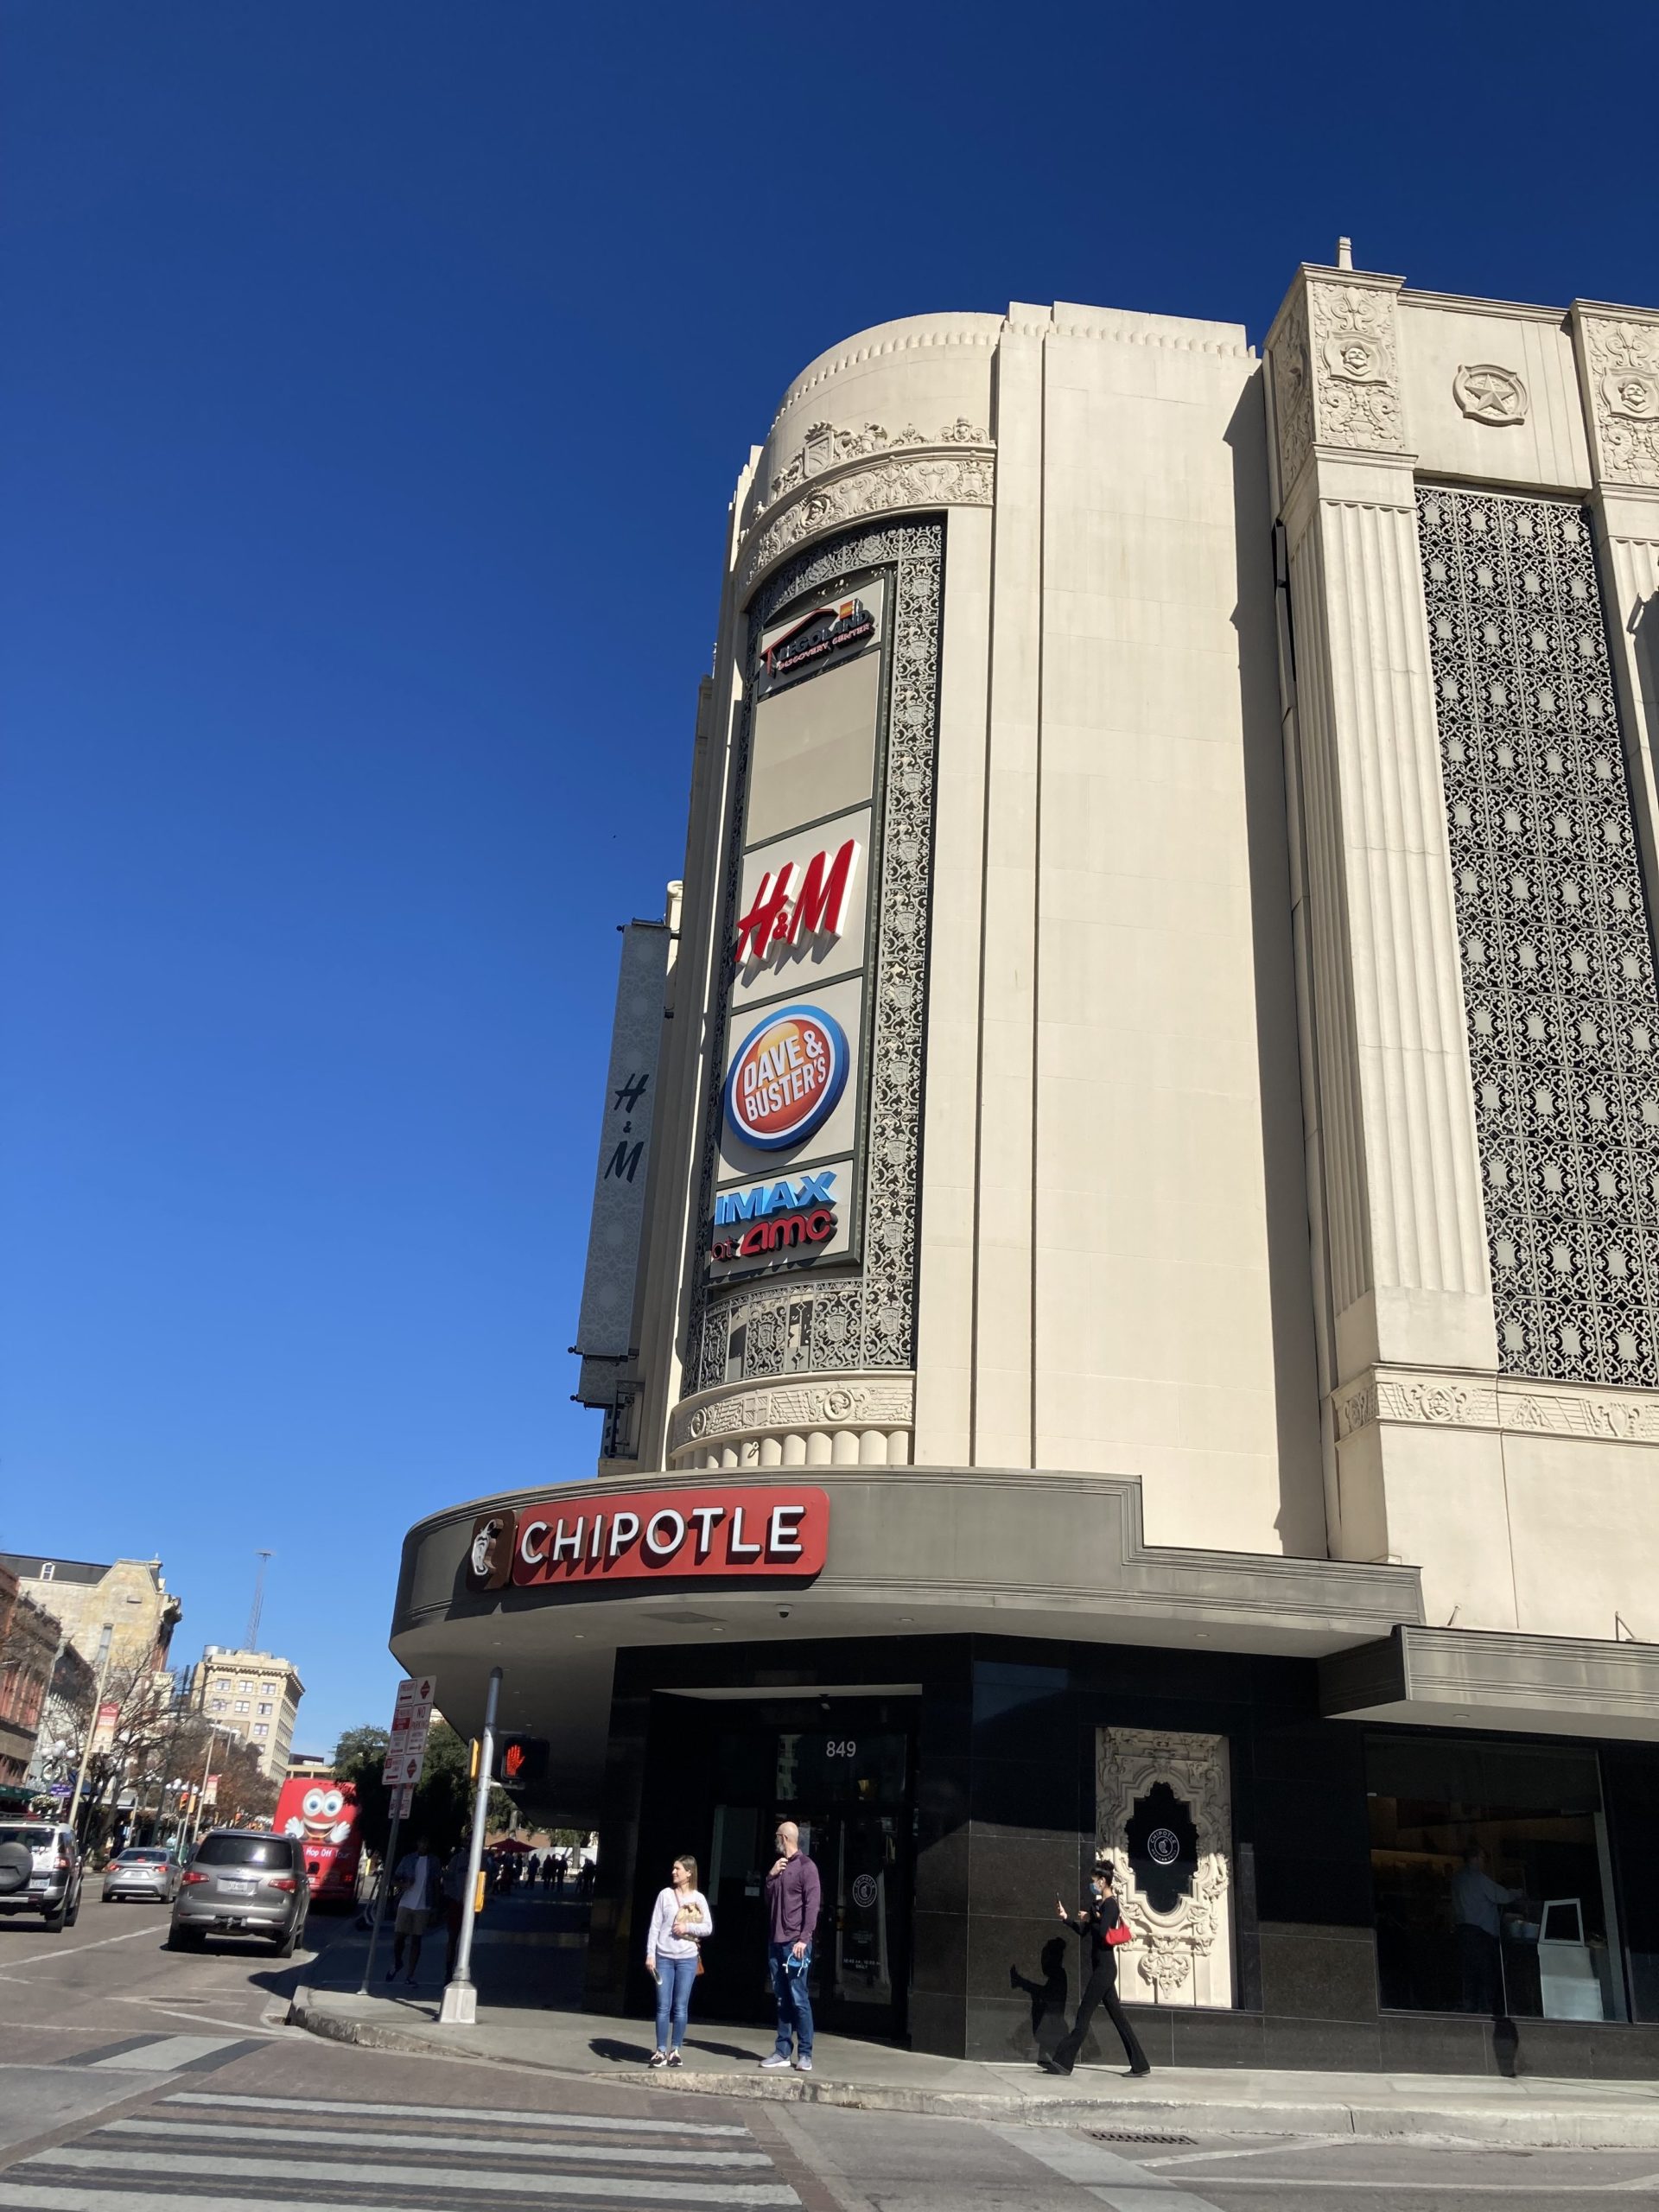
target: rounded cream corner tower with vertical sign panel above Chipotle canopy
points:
(1043, 735)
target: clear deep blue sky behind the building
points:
(373, 390)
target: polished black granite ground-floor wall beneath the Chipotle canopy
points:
(1005, 1822)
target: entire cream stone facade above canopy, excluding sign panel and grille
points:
(1176, 1001)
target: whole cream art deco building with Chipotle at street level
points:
(1125, 1284)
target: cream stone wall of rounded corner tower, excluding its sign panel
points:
(1107, 979)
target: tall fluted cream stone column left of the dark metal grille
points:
(1386, 1023)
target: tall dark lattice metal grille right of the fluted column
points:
(1554, 930)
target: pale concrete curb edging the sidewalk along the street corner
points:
(1525, 2127)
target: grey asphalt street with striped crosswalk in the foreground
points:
(136, 2078)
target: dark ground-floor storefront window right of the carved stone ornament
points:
(1494, 1886)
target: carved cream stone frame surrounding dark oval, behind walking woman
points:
(1182, 1957)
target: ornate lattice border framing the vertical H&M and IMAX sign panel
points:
(820, 1322)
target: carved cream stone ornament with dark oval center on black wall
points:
(1180, 1903)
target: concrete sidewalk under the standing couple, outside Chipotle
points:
(1421, 2109)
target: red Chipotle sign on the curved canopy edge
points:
(651, 1536)
